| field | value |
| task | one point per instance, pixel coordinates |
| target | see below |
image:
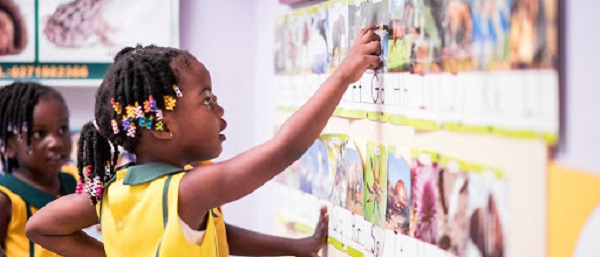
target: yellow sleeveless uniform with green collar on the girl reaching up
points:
(138, 214)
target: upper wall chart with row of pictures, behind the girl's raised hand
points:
(468, 66)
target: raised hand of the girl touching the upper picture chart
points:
(363, 55)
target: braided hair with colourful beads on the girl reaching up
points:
(137, 88)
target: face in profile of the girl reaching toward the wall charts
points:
(198, 117)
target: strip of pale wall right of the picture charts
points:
(582, 92)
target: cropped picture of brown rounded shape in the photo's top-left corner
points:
(17, 23)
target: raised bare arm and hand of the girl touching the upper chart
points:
(212, 185)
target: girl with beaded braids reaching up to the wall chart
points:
(158, 103)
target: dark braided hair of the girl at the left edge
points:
(17, 102)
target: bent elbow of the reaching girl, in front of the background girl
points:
(58, 227)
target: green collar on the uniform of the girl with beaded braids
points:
(140, 174)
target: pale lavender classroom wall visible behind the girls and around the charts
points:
(234, 39)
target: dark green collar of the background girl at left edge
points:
(32, 195)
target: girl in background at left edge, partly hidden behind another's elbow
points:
(34, 143)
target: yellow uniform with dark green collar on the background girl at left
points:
(26, 201)
